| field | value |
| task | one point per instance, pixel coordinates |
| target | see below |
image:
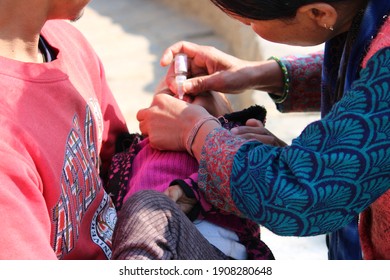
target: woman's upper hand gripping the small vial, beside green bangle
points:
(211, 69)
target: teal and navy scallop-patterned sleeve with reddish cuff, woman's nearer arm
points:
(335, 169)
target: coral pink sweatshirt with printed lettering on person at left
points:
(58, 122)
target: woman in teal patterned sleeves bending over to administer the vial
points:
(339, 165)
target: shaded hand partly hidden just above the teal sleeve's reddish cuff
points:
(255, 130)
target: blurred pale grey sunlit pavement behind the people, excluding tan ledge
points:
(130, 36)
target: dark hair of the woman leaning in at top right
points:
(265, 9)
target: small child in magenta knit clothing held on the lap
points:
(140, 167)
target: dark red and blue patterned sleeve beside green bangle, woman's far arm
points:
(303, 83)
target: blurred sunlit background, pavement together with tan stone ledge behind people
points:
(131, 35)
